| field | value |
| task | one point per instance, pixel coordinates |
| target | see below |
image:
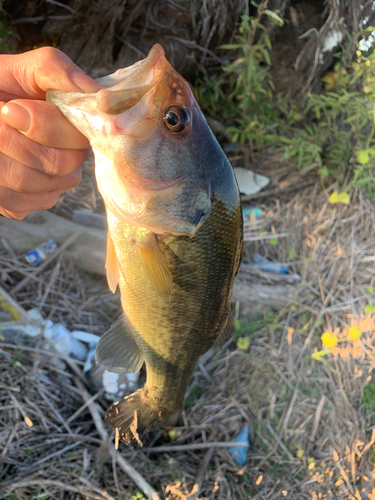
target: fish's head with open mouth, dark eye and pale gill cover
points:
(156, 158)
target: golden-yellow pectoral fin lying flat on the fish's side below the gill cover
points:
(156, 266)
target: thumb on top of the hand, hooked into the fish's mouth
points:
(31, 74)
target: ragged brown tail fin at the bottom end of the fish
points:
(132, 416)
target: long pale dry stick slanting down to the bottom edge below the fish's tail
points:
(124, 464)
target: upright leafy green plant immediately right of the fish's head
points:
(245, 85)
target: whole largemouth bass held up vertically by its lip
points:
(175, 232)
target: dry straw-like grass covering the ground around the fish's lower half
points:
(311, 427)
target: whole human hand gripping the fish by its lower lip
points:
(40, 151)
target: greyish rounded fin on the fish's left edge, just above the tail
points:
(117, 351)
